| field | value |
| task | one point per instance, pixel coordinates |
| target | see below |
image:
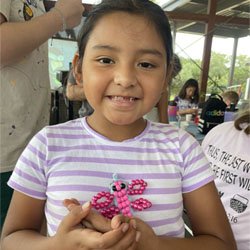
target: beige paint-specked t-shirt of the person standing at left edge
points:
(25, 89)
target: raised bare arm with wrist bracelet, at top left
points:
(18, 39)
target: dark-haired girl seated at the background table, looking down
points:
(188, 98)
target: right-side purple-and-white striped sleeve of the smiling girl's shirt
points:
(197, 171)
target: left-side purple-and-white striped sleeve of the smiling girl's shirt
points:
(29, 175)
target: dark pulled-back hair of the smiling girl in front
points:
(146, 8)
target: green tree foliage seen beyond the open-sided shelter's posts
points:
(218, 73)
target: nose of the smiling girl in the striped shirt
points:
(125, 76)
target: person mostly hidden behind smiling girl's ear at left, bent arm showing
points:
(74, 92)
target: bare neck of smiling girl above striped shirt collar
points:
(116, 132)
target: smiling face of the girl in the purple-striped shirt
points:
(124, 69)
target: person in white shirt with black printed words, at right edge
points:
(227, 148)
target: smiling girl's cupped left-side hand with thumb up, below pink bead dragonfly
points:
(71, 236)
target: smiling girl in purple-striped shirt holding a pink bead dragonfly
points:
(124, 52)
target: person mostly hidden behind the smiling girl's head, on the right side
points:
(160, 112)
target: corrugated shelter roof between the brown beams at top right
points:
(237, 11)
